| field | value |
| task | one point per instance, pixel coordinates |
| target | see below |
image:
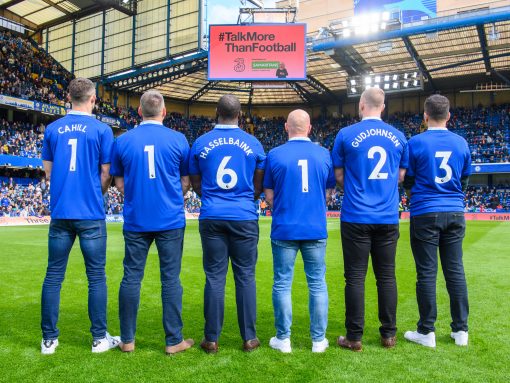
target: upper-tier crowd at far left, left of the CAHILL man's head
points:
(29, 72)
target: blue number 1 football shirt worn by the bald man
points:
(299, 172)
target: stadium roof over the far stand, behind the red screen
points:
(452, 52)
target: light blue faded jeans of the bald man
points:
(284, 258)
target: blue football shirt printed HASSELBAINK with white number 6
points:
(226, 158)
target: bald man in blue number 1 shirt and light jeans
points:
(297, 176)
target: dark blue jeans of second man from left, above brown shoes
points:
(137, 244)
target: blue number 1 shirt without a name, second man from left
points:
(152, 159)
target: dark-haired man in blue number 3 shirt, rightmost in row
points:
(439, 169)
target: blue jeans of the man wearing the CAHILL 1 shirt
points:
(62, 234)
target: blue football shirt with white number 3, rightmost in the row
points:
(438, 159)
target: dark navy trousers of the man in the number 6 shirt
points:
(236, 240)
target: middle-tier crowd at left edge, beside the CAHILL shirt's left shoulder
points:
(21, 139)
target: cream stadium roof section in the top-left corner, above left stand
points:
(39, 14)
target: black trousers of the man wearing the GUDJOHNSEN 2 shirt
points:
(358, 242)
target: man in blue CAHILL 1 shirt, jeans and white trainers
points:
(76, 157)
